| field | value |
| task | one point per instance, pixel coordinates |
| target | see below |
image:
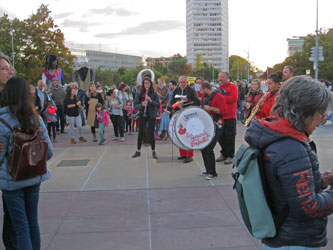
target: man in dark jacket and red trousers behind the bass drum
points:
(188, 97)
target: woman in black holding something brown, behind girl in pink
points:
(92, 94)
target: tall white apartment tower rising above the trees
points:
(207, 33)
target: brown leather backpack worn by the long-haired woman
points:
(29, 156)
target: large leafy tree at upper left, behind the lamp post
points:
(35, 38)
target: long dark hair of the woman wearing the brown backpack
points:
(17, 96)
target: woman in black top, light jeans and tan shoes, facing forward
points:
(72, 106)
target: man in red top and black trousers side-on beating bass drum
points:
(215, 104)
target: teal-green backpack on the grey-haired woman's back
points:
(251, 188)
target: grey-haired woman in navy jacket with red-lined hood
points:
(291, 164)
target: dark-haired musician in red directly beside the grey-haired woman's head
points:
(273, 82)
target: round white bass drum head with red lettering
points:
(194, 128)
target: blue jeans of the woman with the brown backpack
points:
(22, 206)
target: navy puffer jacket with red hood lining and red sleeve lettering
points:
(293, 179)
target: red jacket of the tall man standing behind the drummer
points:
(231, 100)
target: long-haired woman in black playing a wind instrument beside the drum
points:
(148, 104)
